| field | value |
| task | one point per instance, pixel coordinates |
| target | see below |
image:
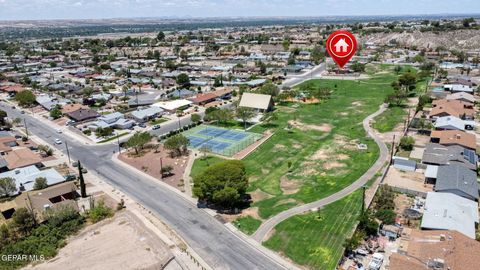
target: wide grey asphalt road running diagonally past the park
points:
(218, 246)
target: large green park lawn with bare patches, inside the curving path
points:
(313, 178)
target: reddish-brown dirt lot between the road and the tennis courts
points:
(149, 162)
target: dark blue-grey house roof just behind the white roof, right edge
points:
(457, 177)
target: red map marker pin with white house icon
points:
(341, 45)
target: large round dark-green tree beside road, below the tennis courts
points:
(223, 183)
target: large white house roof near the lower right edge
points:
(447, 211)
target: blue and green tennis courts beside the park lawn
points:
(222, 141)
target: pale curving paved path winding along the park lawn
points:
(269, 224)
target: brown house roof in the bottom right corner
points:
(417, 249)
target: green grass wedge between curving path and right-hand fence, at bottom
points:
(315, 240)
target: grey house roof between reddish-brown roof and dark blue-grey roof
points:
(435, 153)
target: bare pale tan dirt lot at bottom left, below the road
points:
(122, 242)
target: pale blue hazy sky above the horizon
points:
(98, 9)
